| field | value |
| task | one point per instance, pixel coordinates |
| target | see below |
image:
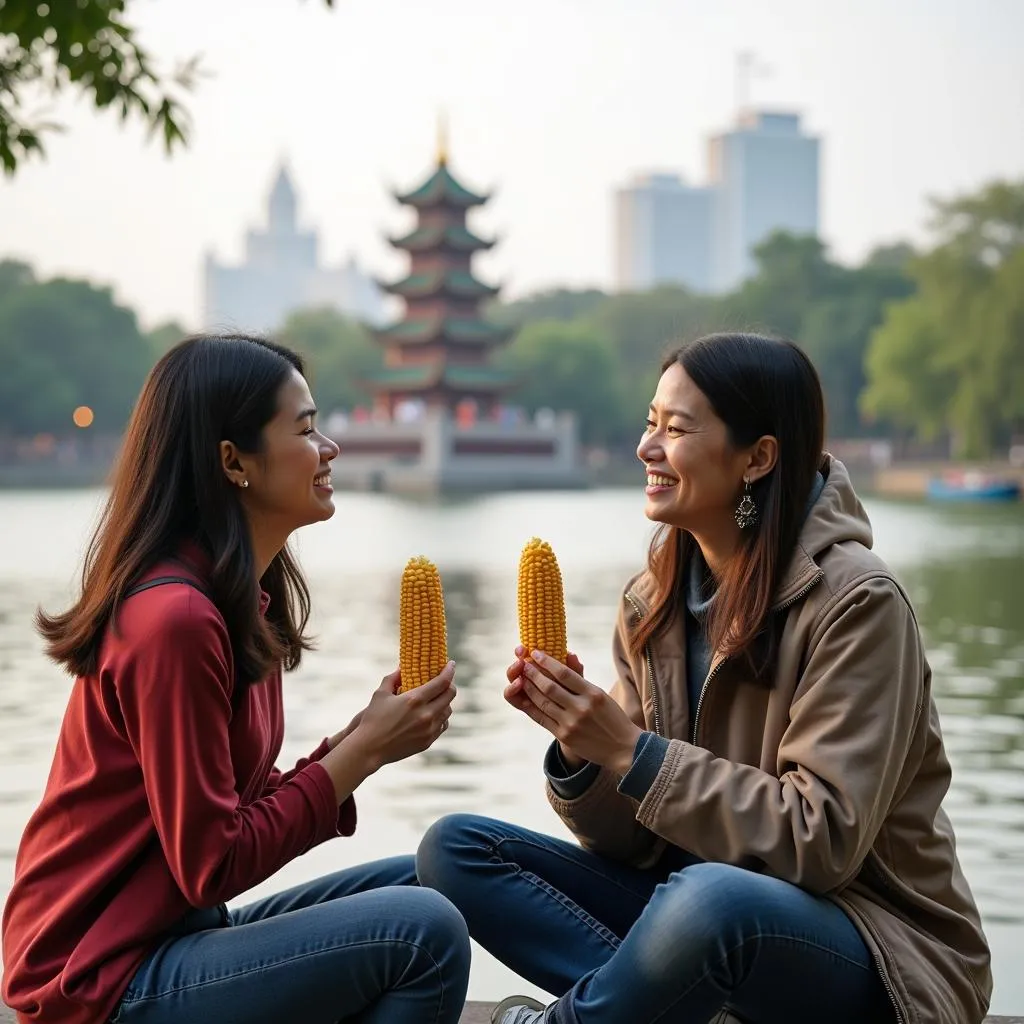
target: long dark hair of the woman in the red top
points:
(168, 489)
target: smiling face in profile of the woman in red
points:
(289, 482)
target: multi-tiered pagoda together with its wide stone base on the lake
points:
(440, 421)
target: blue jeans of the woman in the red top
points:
(364, 945)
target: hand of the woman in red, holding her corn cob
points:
(395, 727)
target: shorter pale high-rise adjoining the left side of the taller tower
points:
(663, 229)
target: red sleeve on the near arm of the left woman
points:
(175, 689)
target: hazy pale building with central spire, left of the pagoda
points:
(282, 274)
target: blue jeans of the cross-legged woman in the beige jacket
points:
(674, 945)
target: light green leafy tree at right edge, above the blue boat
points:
(948, 362)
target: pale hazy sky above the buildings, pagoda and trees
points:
(553, 103)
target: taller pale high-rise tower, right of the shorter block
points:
(765, 177)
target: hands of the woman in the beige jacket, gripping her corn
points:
(580, 715)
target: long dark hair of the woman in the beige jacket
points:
(756, 386)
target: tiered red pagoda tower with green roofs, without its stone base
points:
(440, 352)
